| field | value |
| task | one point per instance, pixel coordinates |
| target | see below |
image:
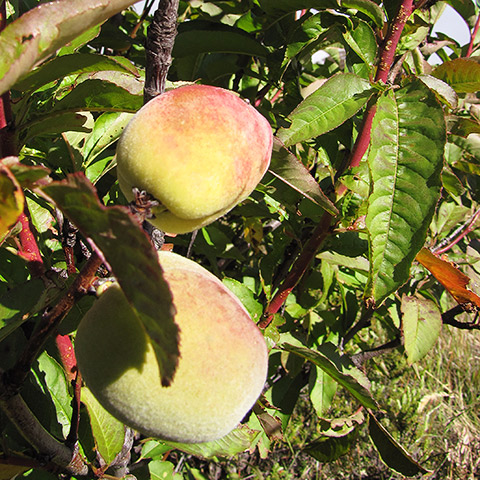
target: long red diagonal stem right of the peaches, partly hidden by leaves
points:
(301, 264)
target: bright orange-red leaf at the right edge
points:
(451, 278)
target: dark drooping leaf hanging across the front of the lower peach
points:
(132, 259)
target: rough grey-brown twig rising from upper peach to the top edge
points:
(160, 38)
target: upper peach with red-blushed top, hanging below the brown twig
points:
(198, 150)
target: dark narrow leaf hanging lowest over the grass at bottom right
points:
(392, 453)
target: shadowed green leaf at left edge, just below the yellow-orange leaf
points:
(18, 304)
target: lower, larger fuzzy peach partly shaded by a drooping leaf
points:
(221, 371)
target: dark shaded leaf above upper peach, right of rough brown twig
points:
(199, 36)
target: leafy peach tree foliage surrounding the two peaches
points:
(376, 156)
